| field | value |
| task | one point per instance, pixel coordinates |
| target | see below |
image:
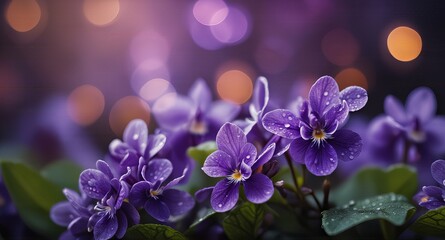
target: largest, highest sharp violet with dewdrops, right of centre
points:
(317, 141)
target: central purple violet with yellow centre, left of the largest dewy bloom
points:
(236, 160)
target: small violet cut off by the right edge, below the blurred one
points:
(433, 197)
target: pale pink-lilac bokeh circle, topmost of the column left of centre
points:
(149, 46)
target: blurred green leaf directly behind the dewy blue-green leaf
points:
(398, 179)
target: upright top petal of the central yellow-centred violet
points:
(231, 139)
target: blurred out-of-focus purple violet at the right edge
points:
(411, 132)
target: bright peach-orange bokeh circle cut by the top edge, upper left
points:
(101, 12)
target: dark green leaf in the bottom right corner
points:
(432, 223)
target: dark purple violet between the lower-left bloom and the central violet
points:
(160, 201)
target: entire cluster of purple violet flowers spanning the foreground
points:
(138, 181)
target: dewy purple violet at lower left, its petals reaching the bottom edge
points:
(112, 214)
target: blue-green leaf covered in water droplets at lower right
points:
(391, 207)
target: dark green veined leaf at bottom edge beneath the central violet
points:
(244, 221)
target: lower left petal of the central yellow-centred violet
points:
(224, 196)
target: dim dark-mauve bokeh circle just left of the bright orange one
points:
(340, 47)
